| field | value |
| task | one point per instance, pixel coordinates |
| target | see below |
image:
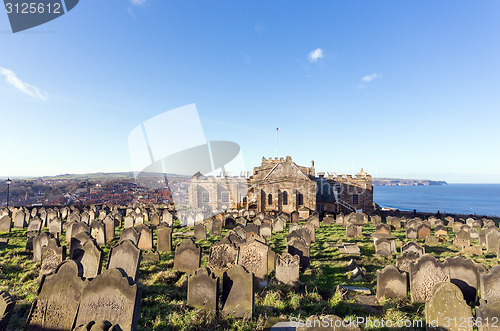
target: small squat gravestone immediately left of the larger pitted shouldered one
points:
(391, 283)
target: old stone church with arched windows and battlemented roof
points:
(281, 185)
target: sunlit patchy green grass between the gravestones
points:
(163, 304)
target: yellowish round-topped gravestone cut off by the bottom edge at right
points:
(446, 305)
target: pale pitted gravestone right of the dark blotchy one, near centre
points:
(253, 256)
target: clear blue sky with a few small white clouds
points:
(401, 88)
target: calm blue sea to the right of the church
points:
(478, 199)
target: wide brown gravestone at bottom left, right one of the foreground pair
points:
(112, 298)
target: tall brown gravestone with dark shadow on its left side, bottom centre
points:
(238, 292)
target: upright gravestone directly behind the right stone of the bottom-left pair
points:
(125, 256)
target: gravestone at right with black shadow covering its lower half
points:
(465, 275)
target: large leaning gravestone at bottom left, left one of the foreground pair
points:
(56, 305)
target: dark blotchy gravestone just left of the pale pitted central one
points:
(223, 256)
